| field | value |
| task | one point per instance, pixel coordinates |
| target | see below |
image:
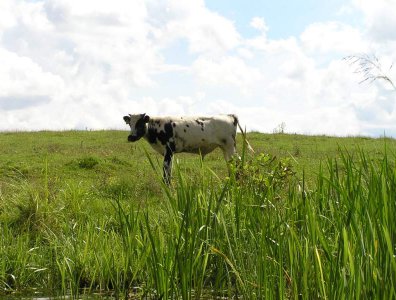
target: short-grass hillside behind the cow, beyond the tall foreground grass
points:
(94, 157)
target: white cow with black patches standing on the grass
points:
(200, 135)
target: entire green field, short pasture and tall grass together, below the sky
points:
(305, 217)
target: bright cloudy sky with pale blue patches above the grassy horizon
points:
(72, 64)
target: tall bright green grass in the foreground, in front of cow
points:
(259, 233)
